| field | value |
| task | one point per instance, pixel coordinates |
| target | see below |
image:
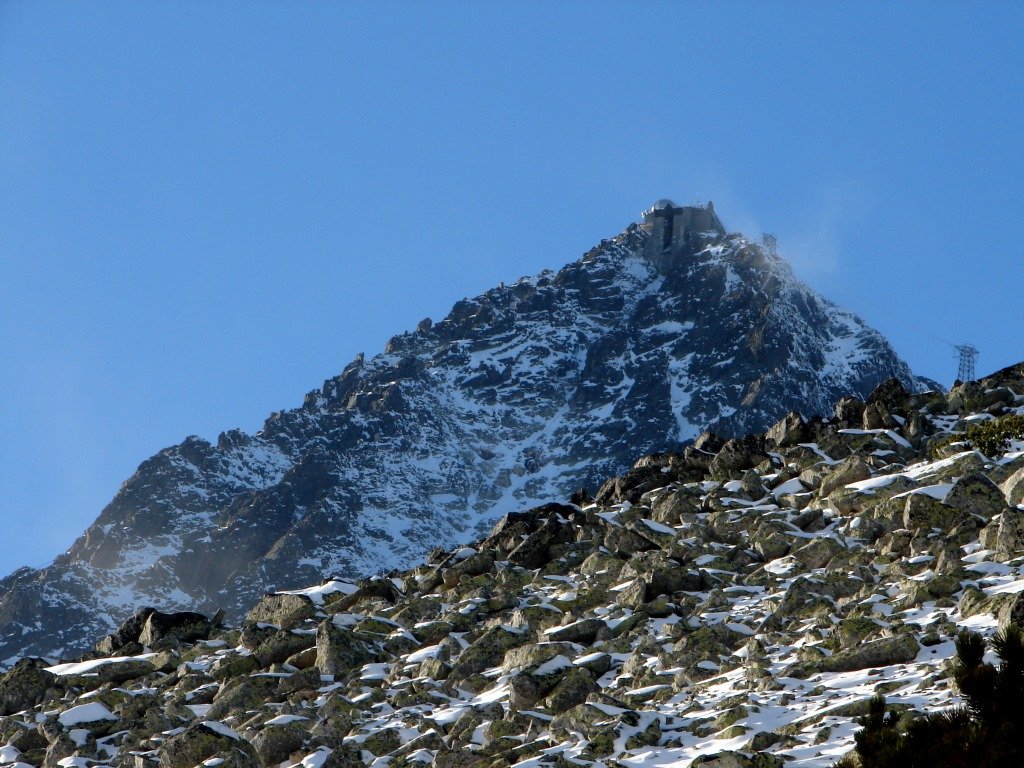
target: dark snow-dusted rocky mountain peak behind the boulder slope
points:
(520, 397)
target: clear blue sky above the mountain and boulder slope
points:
(208, 208)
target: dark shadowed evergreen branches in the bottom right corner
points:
(987, 733)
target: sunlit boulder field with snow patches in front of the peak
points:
(732, 607)
